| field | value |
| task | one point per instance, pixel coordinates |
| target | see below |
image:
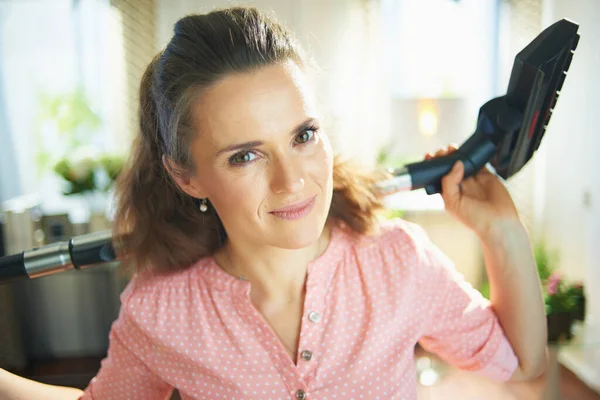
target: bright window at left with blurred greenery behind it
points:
(61, 86)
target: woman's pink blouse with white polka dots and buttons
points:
(369, 300)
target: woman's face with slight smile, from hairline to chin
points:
(259, 150)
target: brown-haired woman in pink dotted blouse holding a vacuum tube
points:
(262, 269)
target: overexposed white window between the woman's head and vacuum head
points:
(442, 48)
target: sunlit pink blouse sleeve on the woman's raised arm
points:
(463, 328)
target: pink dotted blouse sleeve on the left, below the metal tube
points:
(125, 372)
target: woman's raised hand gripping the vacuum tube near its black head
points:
(481, 201)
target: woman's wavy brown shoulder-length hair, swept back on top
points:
(157, 225)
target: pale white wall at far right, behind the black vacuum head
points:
(571, 177)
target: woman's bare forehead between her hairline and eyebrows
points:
(270, 100)
